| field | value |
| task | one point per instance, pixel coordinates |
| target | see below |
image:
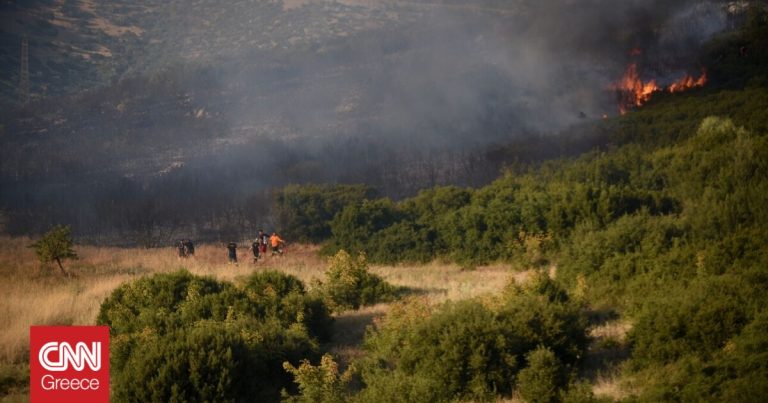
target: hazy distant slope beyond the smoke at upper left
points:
(77, 45)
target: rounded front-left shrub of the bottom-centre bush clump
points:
(462, 351)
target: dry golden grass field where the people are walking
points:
(41, 295)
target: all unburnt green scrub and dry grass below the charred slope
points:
(635, 272)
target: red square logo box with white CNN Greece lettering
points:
(69, 364)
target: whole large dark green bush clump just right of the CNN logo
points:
(180, 337)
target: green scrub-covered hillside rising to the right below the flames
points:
(663, 231)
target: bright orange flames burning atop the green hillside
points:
(633, 92)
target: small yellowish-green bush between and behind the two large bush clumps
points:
(349, 285)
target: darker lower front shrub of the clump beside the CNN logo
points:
(211, 362)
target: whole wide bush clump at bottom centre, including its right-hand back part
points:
(466, 350)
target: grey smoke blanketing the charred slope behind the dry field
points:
(399, 95)
